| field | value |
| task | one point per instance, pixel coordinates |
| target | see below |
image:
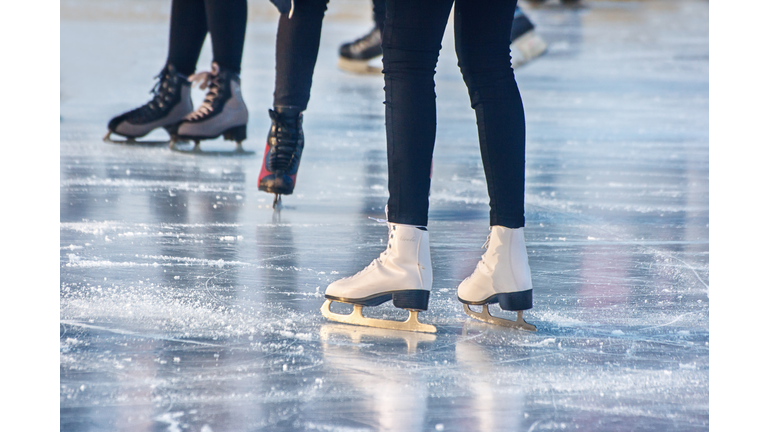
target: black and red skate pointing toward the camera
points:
(282, 154)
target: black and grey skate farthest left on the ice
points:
(170, 104)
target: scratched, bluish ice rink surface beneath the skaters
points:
(188, 304)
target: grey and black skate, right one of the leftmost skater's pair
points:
(223, 112)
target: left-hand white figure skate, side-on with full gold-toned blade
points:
(402, 273)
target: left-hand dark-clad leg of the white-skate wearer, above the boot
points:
(413, 31)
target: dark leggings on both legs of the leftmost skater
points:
(190, 22)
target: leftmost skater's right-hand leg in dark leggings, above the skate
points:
(227, 21)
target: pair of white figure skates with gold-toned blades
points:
(403, 274)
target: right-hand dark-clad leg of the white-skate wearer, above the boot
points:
(482, 46)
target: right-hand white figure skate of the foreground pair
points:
(502, 276)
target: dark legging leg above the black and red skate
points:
(298, 41)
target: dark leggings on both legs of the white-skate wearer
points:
(411, 41)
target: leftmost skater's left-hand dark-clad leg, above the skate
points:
(188, 30)
